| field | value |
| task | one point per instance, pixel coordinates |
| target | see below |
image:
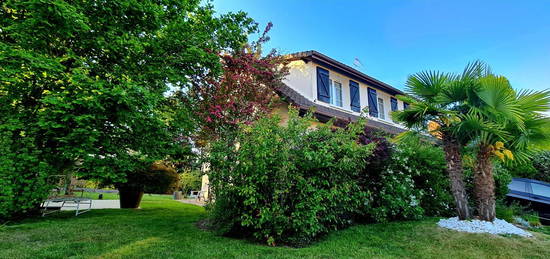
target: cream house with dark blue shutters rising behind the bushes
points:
(338, 91)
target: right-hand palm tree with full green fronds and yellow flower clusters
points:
(500, 123)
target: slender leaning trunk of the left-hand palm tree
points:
(456, 176)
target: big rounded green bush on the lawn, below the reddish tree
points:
(287, 184)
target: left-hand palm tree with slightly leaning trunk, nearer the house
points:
(425, 94)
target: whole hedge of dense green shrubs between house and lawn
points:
(291, 184)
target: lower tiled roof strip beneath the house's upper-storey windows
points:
(324, 113)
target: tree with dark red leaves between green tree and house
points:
(242, 93)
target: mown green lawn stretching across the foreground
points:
(166, 229)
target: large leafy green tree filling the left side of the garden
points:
(83, 83)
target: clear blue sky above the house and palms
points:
(394, 39)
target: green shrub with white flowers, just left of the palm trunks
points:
(411, 183)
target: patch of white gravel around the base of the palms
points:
(496, 227)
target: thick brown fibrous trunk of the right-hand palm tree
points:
(484, 184)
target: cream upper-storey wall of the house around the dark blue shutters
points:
(303, 79)
